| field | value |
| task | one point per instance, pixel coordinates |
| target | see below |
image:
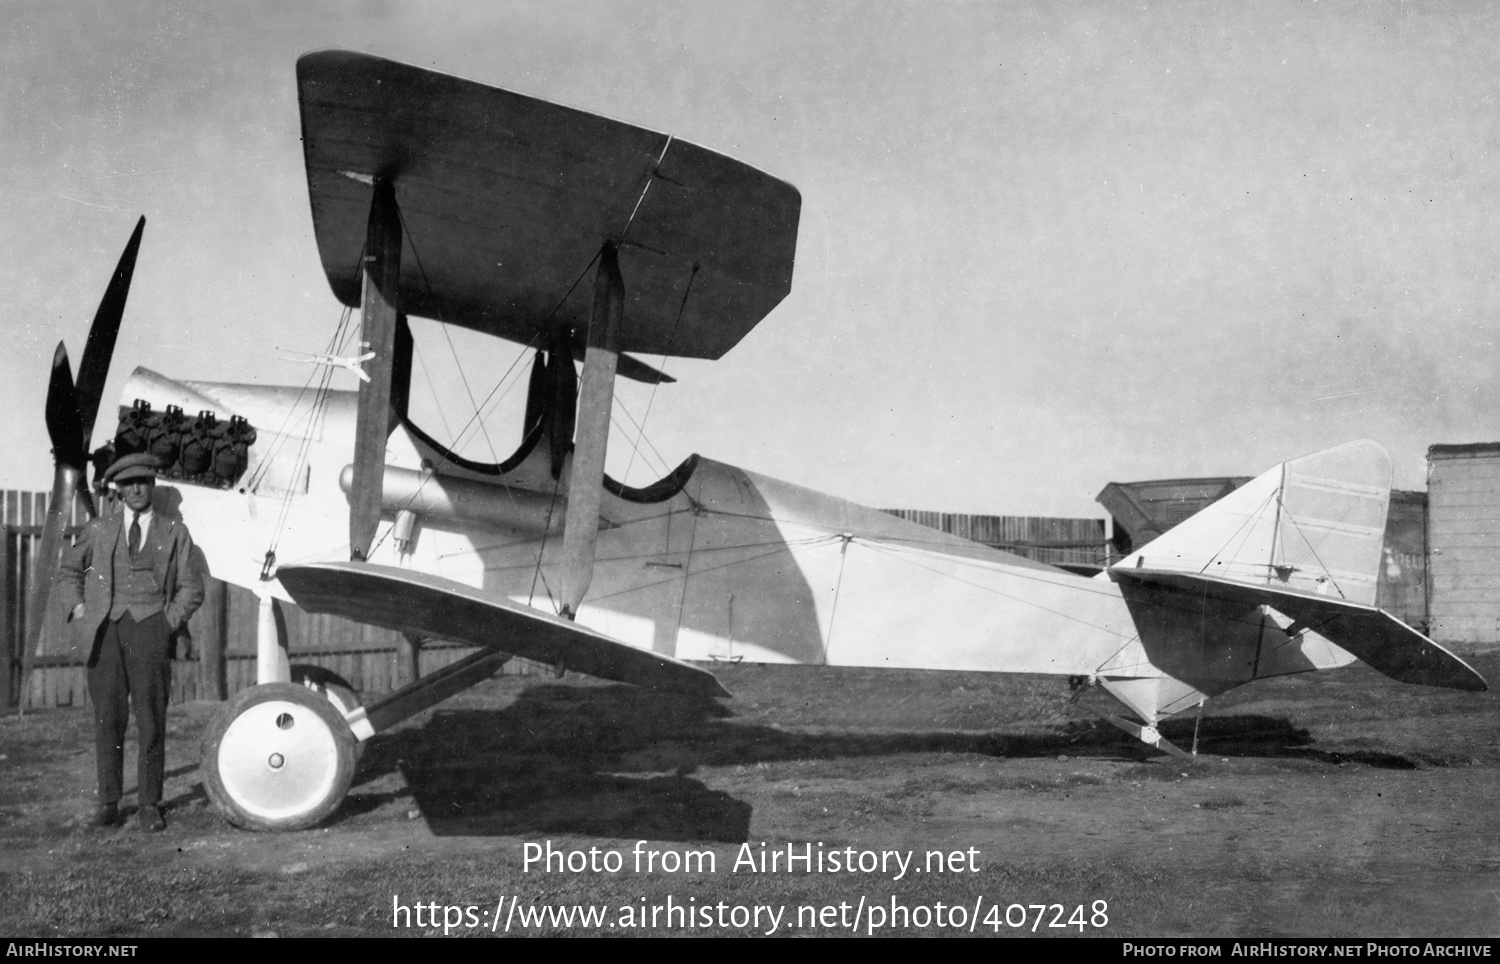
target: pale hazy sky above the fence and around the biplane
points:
(1045, 247)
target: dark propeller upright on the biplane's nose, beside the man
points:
(71, 412)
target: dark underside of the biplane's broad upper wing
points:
(506, 200)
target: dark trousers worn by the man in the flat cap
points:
(134, 666)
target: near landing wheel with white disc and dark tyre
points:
(278, 758)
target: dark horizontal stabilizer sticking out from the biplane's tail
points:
(1375, 636)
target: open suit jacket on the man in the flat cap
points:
(88, 575)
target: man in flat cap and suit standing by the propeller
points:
(131, 585)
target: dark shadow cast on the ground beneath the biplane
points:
(619, 761)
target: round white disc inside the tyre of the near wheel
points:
(278, 761)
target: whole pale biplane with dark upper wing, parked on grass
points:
(599, 245)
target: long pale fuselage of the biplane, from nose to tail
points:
(713, 563)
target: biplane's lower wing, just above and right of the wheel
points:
(419, 603)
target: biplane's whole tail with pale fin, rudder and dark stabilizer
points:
(1276, 578)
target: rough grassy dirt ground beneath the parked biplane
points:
(1333, 804)
